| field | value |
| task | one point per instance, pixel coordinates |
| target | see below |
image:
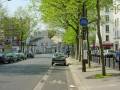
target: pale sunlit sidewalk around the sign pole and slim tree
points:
(87, 81)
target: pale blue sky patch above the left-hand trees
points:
(14, 4)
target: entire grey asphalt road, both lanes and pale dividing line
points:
(35, 74)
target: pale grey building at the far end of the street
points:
(42, 43)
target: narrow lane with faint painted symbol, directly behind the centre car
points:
(60, 78)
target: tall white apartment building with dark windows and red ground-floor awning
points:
(110, 26)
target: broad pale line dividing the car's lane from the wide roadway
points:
(43, 80)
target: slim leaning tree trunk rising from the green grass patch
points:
(99, 37)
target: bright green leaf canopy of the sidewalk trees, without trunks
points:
(67, 13)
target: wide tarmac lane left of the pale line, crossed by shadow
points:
(24, 75)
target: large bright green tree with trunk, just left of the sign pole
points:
(64, 14)
